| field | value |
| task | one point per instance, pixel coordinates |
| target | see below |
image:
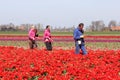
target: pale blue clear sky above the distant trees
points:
(58, 13)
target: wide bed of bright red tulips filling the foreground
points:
(26, 64)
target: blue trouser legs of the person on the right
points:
(78, 47)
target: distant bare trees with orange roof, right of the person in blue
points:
(100, 26)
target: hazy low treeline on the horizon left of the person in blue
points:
(26, 27)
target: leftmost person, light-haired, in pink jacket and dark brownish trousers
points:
(32, 37)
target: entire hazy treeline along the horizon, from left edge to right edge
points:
(94, 26)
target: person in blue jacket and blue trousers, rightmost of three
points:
(79, 39)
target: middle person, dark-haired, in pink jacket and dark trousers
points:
(47, 38)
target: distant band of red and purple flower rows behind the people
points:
(64, 38)
